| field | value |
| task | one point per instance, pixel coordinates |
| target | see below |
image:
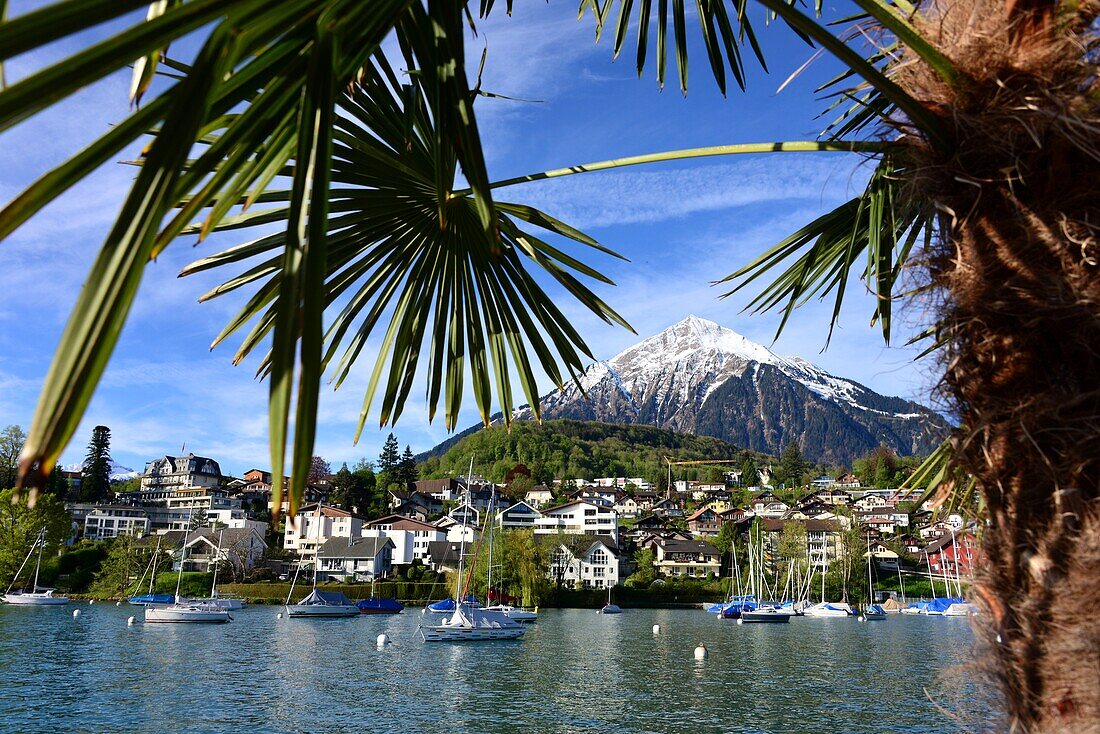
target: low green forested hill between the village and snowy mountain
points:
(571, 450)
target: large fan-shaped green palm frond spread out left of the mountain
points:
(409, 258)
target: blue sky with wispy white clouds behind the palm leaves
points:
(683, 225)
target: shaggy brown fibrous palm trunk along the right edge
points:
(1020, 279)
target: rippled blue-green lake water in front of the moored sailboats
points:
(575, 672)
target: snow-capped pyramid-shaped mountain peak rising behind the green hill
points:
(700, 378)
